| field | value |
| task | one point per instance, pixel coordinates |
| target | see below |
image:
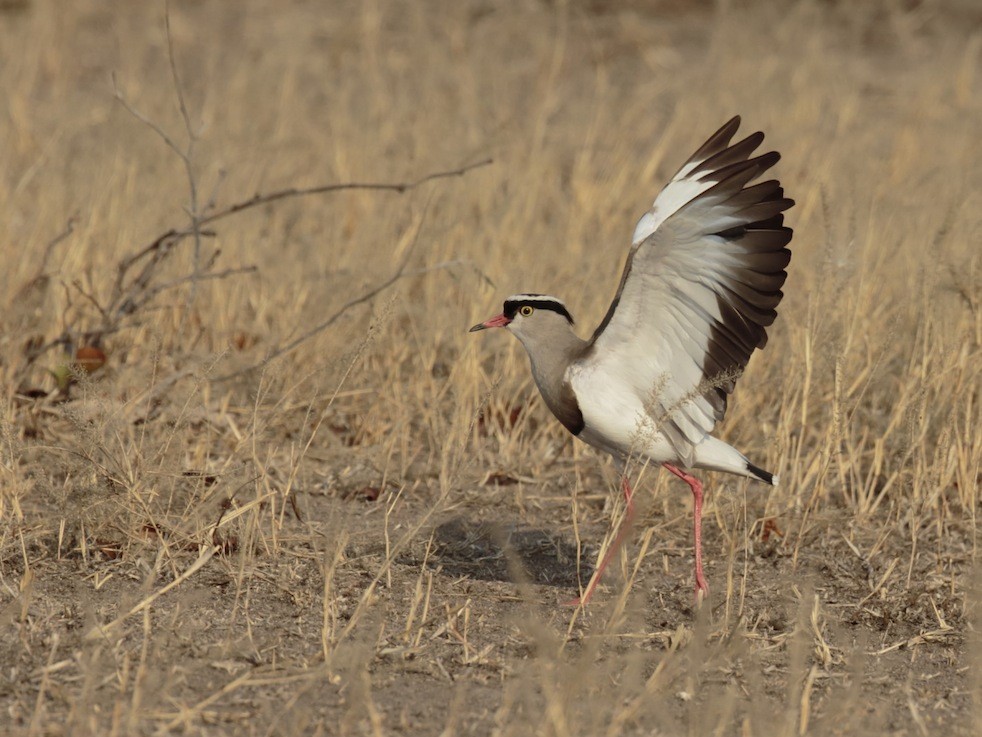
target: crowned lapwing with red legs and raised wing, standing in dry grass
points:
(700, 286)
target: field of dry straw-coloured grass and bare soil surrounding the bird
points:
(371, 534)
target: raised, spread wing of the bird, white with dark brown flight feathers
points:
(700, 287)
